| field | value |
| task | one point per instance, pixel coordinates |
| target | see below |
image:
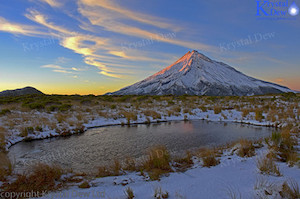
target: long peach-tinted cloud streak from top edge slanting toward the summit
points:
(110, 16)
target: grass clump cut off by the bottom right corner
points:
(290, 189)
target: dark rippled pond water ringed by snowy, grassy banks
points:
(100, 146)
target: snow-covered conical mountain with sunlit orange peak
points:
(196, 74)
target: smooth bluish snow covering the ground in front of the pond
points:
(233, 176)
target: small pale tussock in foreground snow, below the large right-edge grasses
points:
(266, 165)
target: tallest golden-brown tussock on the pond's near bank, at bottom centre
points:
(158, 162)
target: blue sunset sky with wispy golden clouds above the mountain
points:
(99, 46)
